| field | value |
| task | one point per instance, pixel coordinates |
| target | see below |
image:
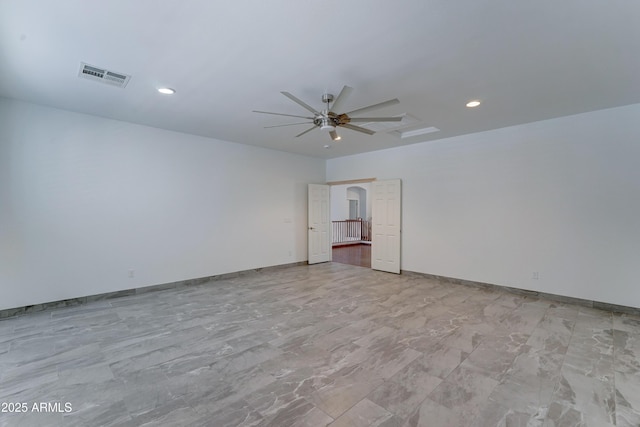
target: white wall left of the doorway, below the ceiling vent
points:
(83, 200)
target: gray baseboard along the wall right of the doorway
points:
(554, 297)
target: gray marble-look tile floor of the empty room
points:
(329, 344)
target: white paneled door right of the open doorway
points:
(385, 245)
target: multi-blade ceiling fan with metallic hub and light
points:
(329, 119)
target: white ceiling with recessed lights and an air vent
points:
(526, 60)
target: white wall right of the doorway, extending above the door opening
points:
(559, 197)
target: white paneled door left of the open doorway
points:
(319, 223)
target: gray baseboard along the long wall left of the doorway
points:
(18, 311)
